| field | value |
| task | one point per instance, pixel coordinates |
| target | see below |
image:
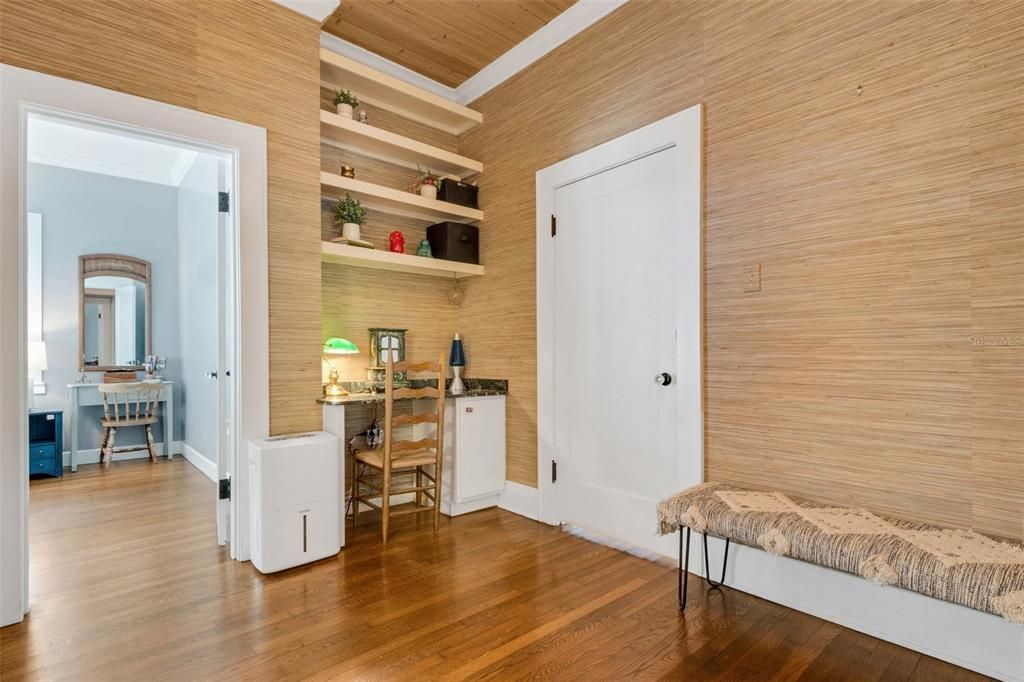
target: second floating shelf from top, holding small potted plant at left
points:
(379, 144)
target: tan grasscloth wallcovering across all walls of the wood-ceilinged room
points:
(880, 365)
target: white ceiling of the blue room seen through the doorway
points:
(59, 144)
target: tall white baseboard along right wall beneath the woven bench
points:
(969, 638)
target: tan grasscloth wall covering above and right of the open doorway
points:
(249, 61)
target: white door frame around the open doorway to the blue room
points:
(23, 92)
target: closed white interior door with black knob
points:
(626, 349)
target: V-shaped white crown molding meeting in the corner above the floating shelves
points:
(574, 21)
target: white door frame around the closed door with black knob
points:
(679, 135)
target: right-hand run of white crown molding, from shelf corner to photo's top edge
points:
(574, 21)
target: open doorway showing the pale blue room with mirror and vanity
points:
(131, 326)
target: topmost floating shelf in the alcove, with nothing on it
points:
(389, 93)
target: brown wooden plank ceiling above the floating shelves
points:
(446, 40)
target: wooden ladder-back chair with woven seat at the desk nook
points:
(420, 459)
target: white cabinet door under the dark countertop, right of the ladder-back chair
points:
(480, 447)
